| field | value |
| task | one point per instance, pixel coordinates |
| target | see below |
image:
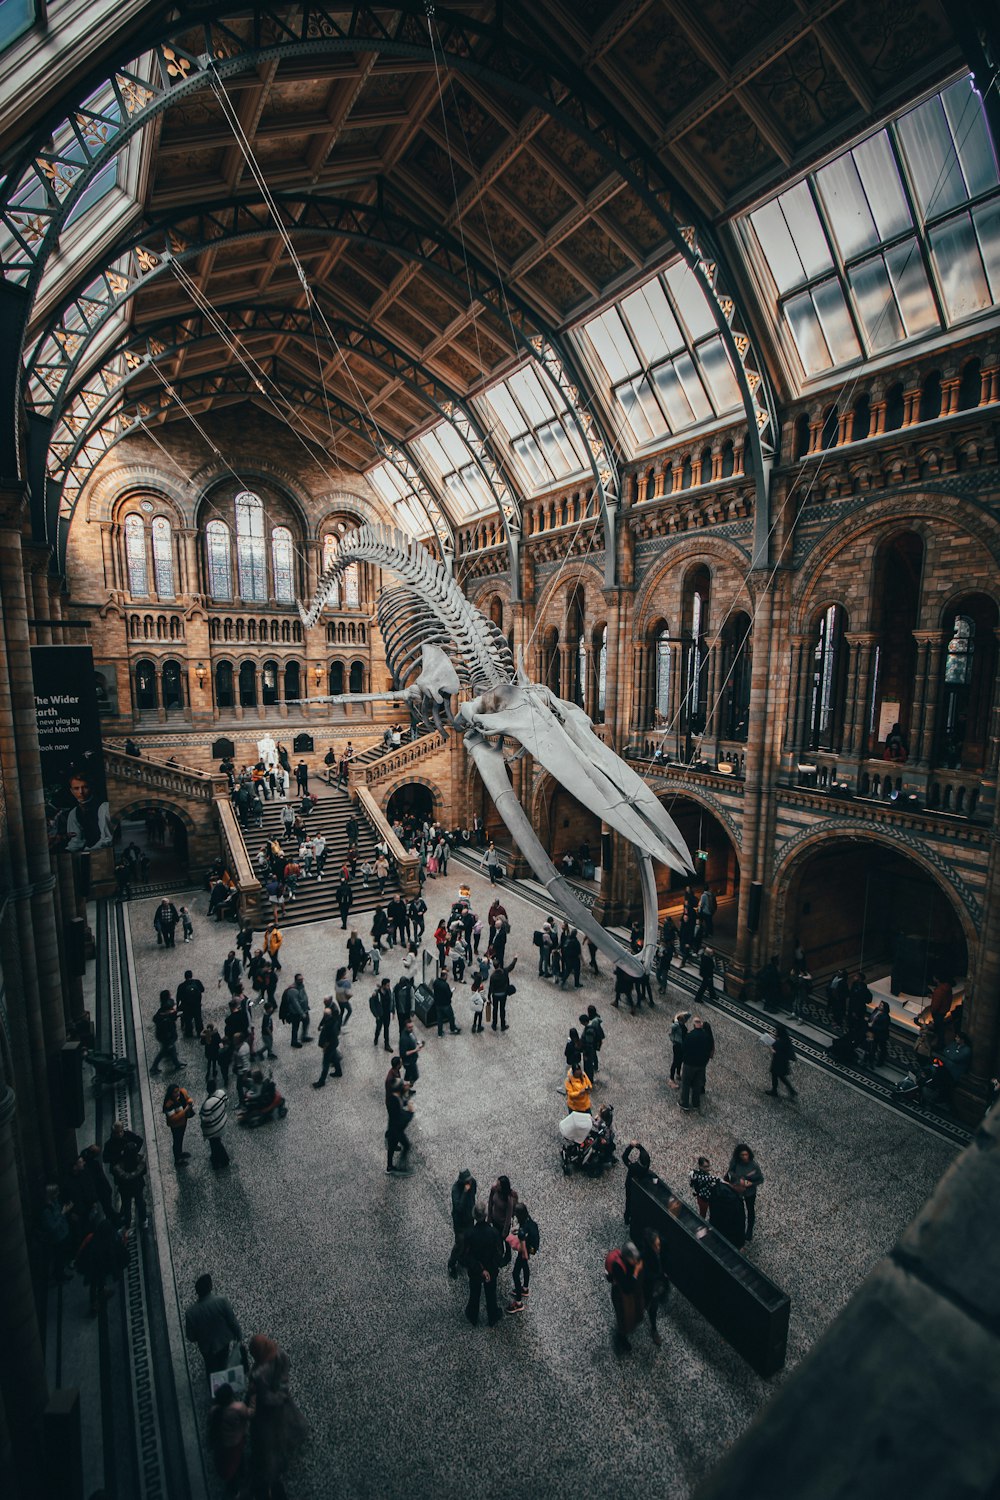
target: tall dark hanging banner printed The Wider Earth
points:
(71, 749)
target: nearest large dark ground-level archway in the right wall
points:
(863, 905)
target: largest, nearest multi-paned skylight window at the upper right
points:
(893, 239)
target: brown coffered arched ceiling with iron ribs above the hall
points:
(530, 158)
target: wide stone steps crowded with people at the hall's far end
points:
(314, 901)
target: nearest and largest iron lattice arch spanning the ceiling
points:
(175, 59)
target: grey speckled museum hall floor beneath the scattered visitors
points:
(346, 1267)
